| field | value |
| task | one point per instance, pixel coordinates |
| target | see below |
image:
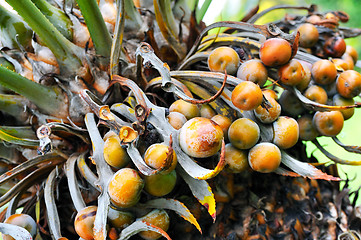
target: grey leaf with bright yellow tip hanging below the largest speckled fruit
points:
(200, 190)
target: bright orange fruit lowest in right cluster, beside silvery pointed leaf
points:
(264, 157)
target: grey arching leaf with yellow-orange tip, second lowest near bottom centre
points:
(175, 205)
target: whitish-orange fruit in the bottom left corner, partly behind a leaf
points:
(21, 220)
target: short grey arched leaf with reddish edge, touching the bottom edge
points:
(139, 226)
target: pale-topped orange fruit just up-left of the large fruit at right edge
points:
(324, 72)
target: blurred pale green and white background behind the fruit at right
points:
(351, 133)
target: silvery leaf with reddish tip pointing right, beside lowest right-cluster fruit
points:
(305, 169)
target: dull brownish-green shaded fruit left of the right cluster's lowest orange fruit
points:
(236, 159)
